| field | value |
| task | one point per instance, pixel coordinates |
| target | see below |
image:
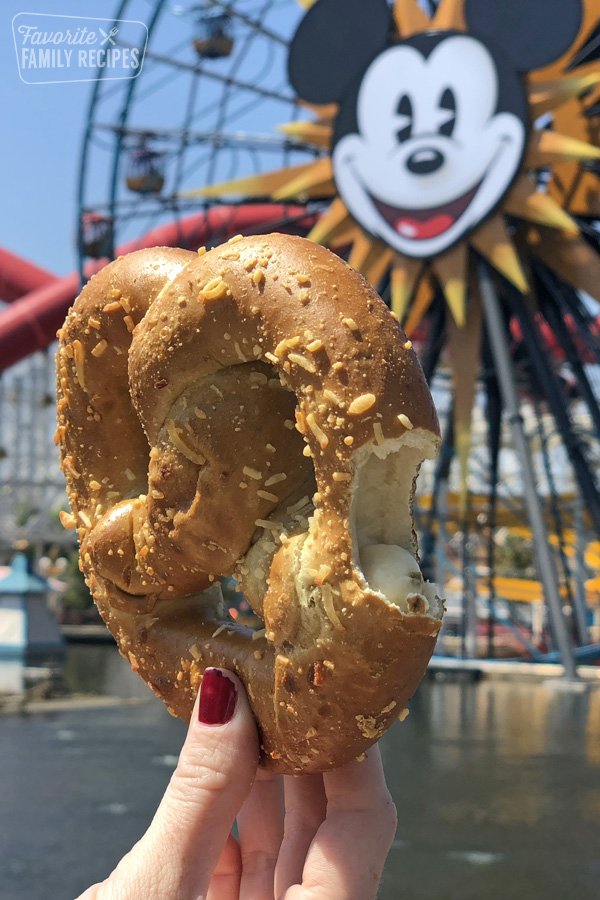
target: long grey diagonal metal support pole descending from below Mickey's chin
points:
(546, 565)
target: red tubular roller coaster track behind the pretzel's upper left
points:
(31, 322)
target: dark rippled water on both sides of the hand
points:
(497, 786)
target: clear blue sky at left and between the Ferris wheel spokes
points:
(44, 124)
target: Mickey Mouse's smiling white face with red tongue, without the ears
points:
(432, 155)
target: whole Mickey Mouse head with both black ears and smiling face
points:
(431, 130)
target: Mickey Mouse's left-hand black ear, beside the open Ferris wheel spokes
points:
(335, 41)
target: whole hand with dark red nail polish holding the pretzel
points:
(311, 837)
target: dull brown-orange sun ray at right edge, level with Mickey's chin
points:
(569, 256)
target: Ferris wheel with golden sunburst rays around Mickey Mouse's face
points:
(212, 140)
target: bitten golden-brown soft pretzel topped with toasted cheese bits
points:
(253, 410)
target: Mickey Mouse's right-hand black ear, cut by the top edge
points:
(533, 32)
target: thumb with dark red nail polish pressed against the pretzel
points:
(215, 772)
